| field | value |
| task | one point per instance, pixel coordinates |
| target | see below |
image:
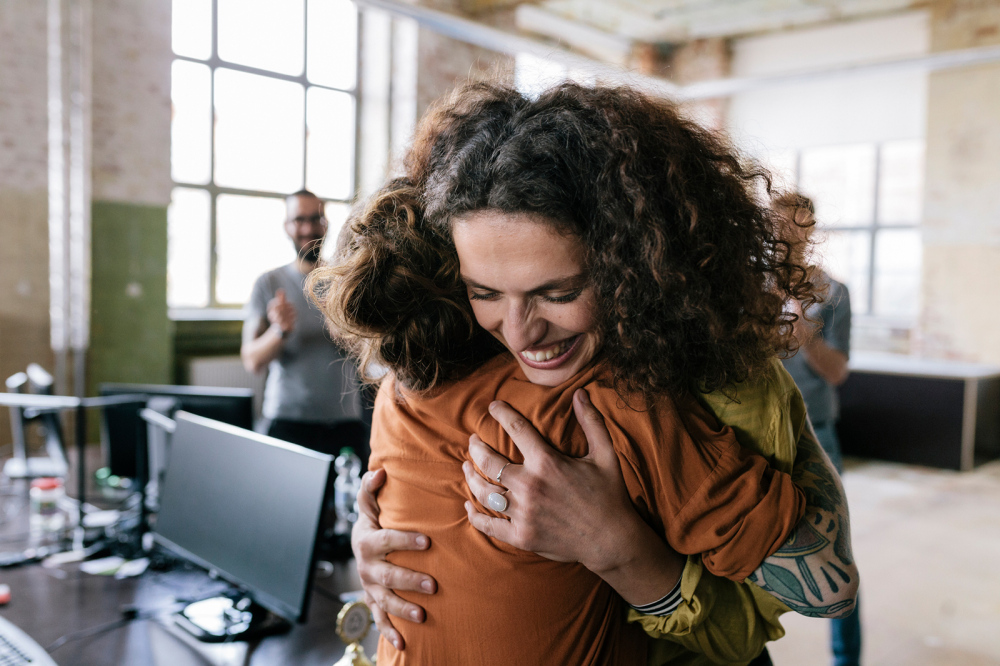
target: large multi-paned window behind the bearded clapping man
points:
(264, 104)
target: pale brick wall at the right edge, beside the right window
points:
(961, 209)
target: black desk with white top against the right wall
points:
(920, 411)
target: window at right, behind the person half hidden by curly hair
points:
(868, 206)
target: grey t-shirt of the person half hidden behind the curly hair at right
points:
(834, 315)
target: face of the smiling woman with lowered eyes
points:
(528, 286)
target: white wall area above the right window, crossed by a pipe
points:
(844, 109)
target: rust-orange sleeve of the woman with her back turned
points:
(709, 496)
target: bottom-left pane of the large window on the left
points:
(188, 248)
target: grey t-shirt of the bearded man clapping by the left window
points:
(310, 380)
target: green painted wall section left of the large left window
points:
(131, 335)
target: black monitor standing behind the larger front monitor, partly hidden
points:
(123, 431)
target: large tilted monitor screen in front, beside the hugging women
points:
(247, 506)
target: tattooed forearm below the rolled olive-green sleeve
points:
(814, 571)
